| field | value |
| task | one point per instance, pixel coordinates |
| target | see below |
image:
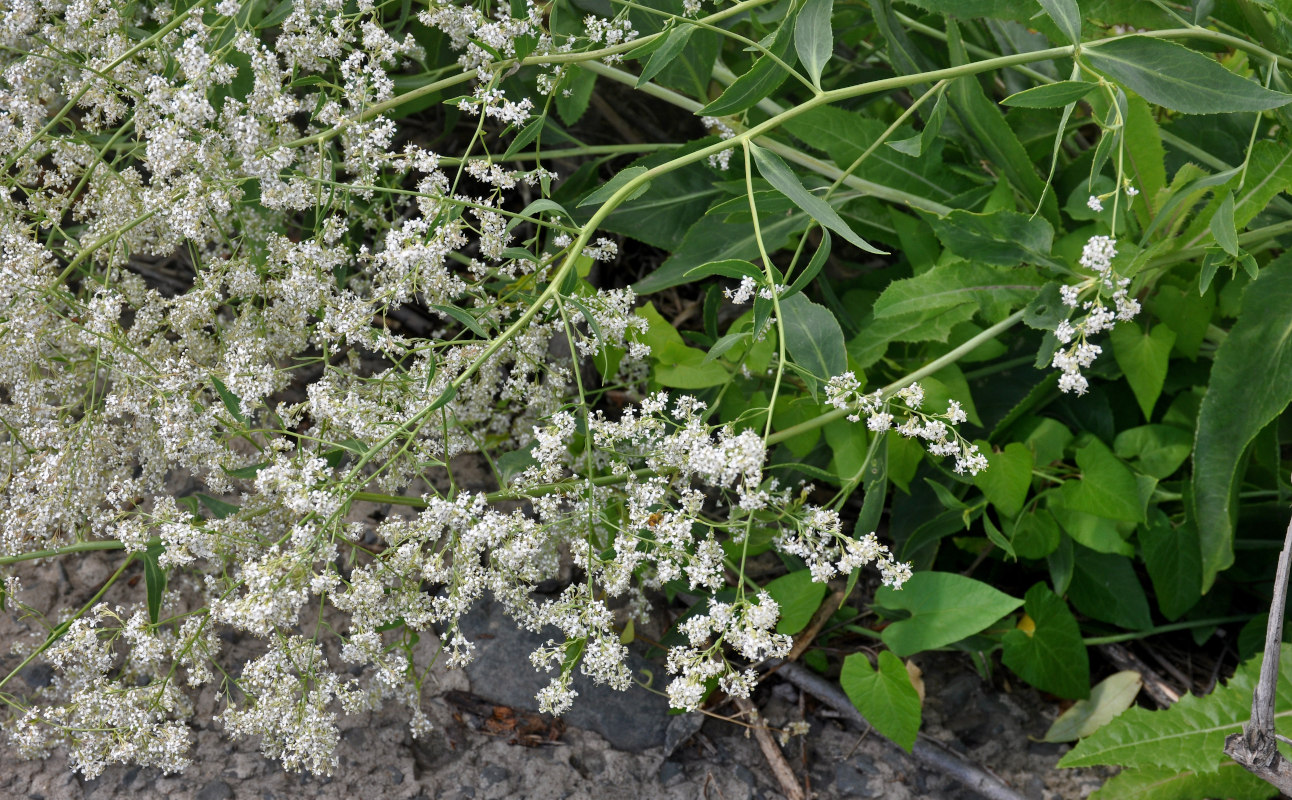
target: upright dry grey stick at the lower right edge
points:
(1258, 749)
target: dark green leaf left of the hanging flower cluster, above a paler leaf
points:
(1005, 238)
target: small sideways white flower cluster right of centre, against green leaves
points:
(936, 431)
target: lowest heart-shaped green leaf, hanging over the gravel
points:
(886, 697)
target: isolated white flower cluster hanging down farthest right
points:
(1077, 353)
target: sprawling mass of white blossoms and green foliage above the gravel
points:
(330, 320)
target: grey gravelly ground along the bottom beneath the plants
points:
(612, 745)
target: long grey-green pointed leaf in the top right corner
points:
(1174, 77)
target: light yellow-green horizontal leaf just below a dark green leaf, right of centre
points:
(952, 285)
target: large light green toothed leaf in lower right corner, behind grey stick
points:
(1189, 736)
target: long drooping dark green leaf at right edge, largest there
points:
(1251, 384)
